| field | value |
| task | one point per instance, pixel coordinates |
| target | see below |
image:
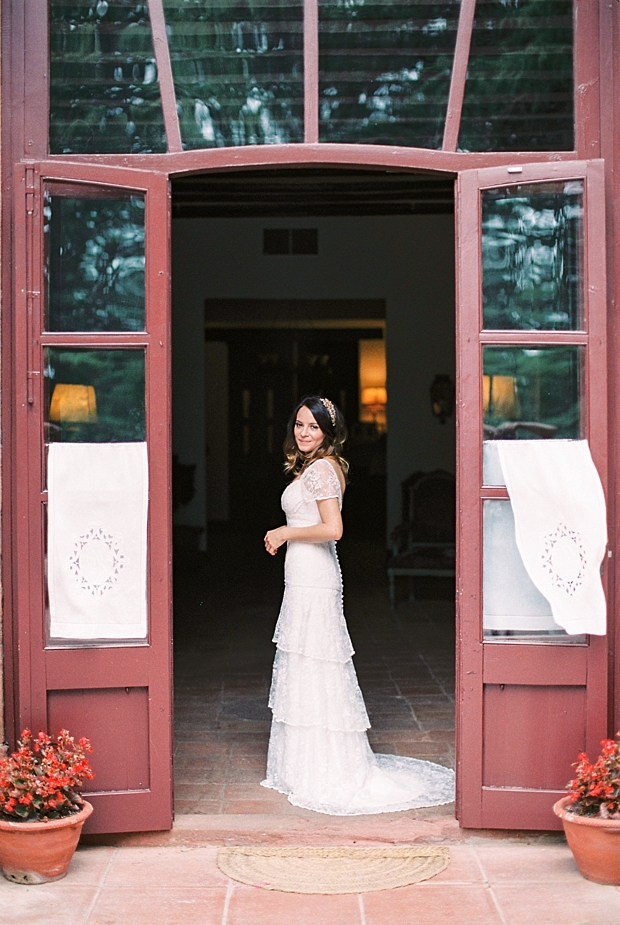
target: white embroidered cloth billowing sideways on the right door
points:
(560, 526)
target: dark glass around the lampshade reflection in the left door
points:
(118, 379)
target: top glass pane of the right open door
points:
(532, 257)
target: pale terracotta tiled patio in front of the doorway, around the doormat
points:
(486, 883)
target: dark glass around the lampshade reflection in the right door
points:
(547, 386)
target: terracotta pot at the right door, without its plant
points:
(595, 844)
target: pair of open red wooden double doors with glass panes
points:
(92, 370)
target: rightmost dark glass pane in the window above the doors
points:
(519, 91)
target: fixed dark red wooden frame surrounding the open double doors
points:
(24, 137)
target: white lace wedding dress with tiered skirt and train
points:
(319, 754)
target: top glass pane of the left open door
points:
(94, 263)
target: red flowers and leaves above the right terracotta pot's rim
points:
(595, 791)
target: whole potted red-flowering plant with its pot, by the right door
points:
(590, 814)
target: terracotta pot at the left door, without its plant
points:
(37, 852)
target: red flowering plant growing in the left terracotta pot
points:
(39, 781)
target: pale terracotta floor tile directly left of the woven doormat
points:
(165, 868)
